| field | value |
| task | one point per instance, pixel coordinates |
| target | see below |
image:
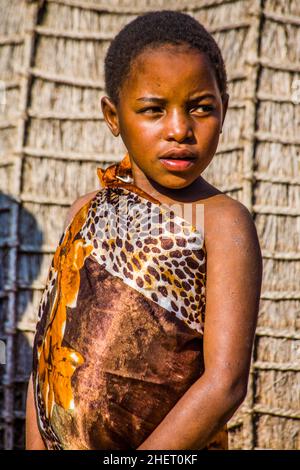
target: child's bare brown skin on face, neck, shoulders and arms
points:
(176, 75)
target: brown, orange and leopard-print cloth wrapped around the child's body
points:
(119, 337)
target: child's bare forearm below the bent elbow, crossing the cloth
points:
(199, 414)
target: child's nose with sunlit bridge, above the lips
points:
(178, 126)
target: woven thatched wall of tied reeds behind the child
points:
(52, 137)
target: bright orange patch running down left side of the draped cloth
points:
(57, 363)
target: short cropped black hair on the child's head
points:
(158, 28)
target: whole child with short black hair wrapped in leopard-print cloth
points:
(146, 324)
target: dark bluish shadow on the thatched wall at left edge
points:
(16, 372)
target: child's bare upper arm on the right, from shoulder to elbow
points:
(234, 276)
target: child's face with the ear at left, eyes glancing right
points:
(164, 105)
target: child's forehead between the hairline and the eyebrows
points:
(171, 69)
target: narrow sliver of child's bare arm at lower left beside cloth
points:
(34, 440)
